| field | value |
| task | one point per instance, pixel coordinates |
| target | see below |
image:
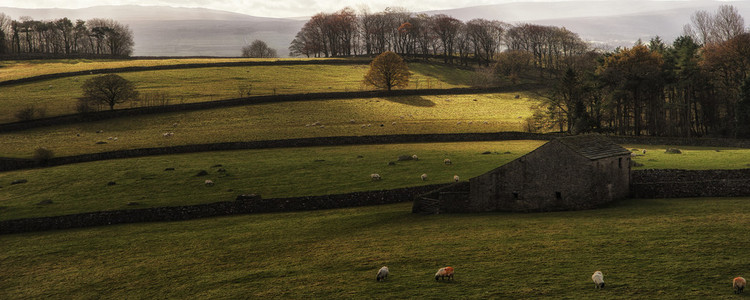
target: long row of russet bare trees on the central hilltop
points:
(347, 33)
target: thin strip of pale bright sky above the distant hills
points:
(269, 8)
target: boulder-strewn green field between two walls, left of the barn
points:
(270, 173)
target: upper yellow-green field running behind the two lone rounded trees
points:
(58, 96)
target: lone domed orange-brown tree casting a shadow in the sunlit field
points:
(388, 70)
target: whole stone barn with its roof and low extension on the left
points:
(569, 173)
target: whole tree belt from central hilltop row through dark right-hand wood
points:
(696, 86)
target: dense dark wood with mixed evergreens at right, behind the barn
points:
(698, 85)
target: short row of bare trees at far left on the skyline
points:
(63, 37)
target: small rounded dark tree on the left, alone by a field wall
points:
(108, 89)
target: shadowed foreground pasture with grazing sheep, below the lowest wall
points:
(647, 249)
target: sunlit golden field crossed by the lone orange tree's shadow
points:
(428, 114)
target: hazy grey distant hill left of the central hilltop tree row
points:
(170, 31)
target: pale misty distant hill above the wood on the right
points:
(613, 23)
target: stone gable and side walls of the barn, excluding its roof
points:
(551, 178)
